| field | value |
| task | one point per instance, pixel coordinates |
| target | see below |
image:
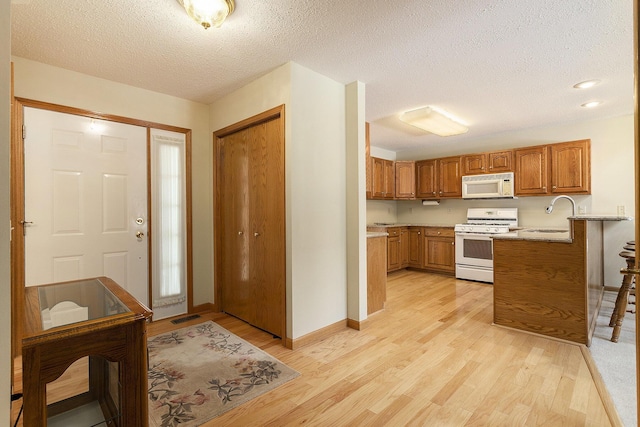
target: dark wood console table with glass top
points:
(103, 322)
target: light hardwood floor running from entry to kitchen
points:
(430, 358)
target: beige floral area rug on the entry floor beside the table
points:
(199, 372)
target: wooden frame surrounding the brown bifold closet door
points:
(271, 114)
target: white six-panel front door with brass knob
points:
(85, 200)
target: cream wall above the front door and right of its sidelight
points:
(38, 81)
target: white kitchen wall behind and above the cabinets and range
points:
(612, 184)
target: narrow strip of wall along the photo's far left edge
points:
(5, 215)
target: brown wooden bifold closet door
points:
(250, 221)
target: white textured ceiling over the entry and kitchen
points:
(500, 65)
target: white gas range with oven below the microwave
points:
(474, 241)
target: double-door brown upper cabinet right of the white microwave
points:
(553, 169)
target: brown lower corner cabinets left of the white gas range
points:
(424, 248)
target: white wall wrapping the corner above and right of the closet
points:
(315, 186)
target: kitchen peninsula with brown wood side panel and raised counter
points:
(551, 282)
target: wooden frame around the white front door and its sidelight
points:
(17, 203)
